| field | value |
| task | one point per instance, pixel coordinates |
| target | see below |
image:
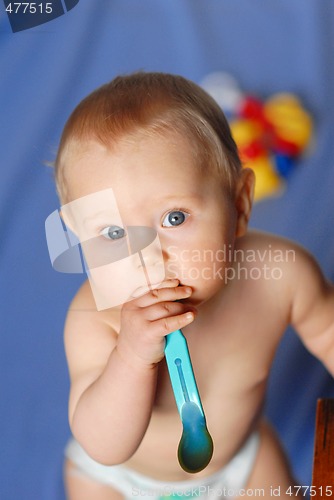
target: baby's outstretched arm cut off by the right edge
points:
(312, 307)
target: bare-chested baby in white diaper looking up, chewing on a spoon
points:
(163, 149)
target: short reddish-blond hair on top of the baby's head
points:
(153, 103)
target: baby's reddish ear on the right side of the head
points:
(244, 199)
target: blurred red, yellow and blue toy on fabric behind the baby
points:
(271, 136)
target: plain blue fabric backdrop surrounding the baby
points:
(268, 46)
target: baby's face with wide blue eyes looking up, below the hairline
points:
(153, 182)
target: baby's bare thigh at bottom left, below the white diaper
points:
(81, 487)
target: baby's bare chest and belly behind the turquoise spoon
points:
(231, 363)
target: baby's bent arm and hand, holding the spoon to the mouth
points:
(113, 376)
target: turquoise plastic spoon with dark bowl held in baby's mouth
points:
(196, 446)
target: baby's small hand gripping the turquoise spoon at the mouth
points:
(147, 319)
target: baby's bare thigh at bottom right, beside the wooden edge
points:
(271, 475)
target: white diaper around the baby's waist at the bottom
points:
(225, 483)
